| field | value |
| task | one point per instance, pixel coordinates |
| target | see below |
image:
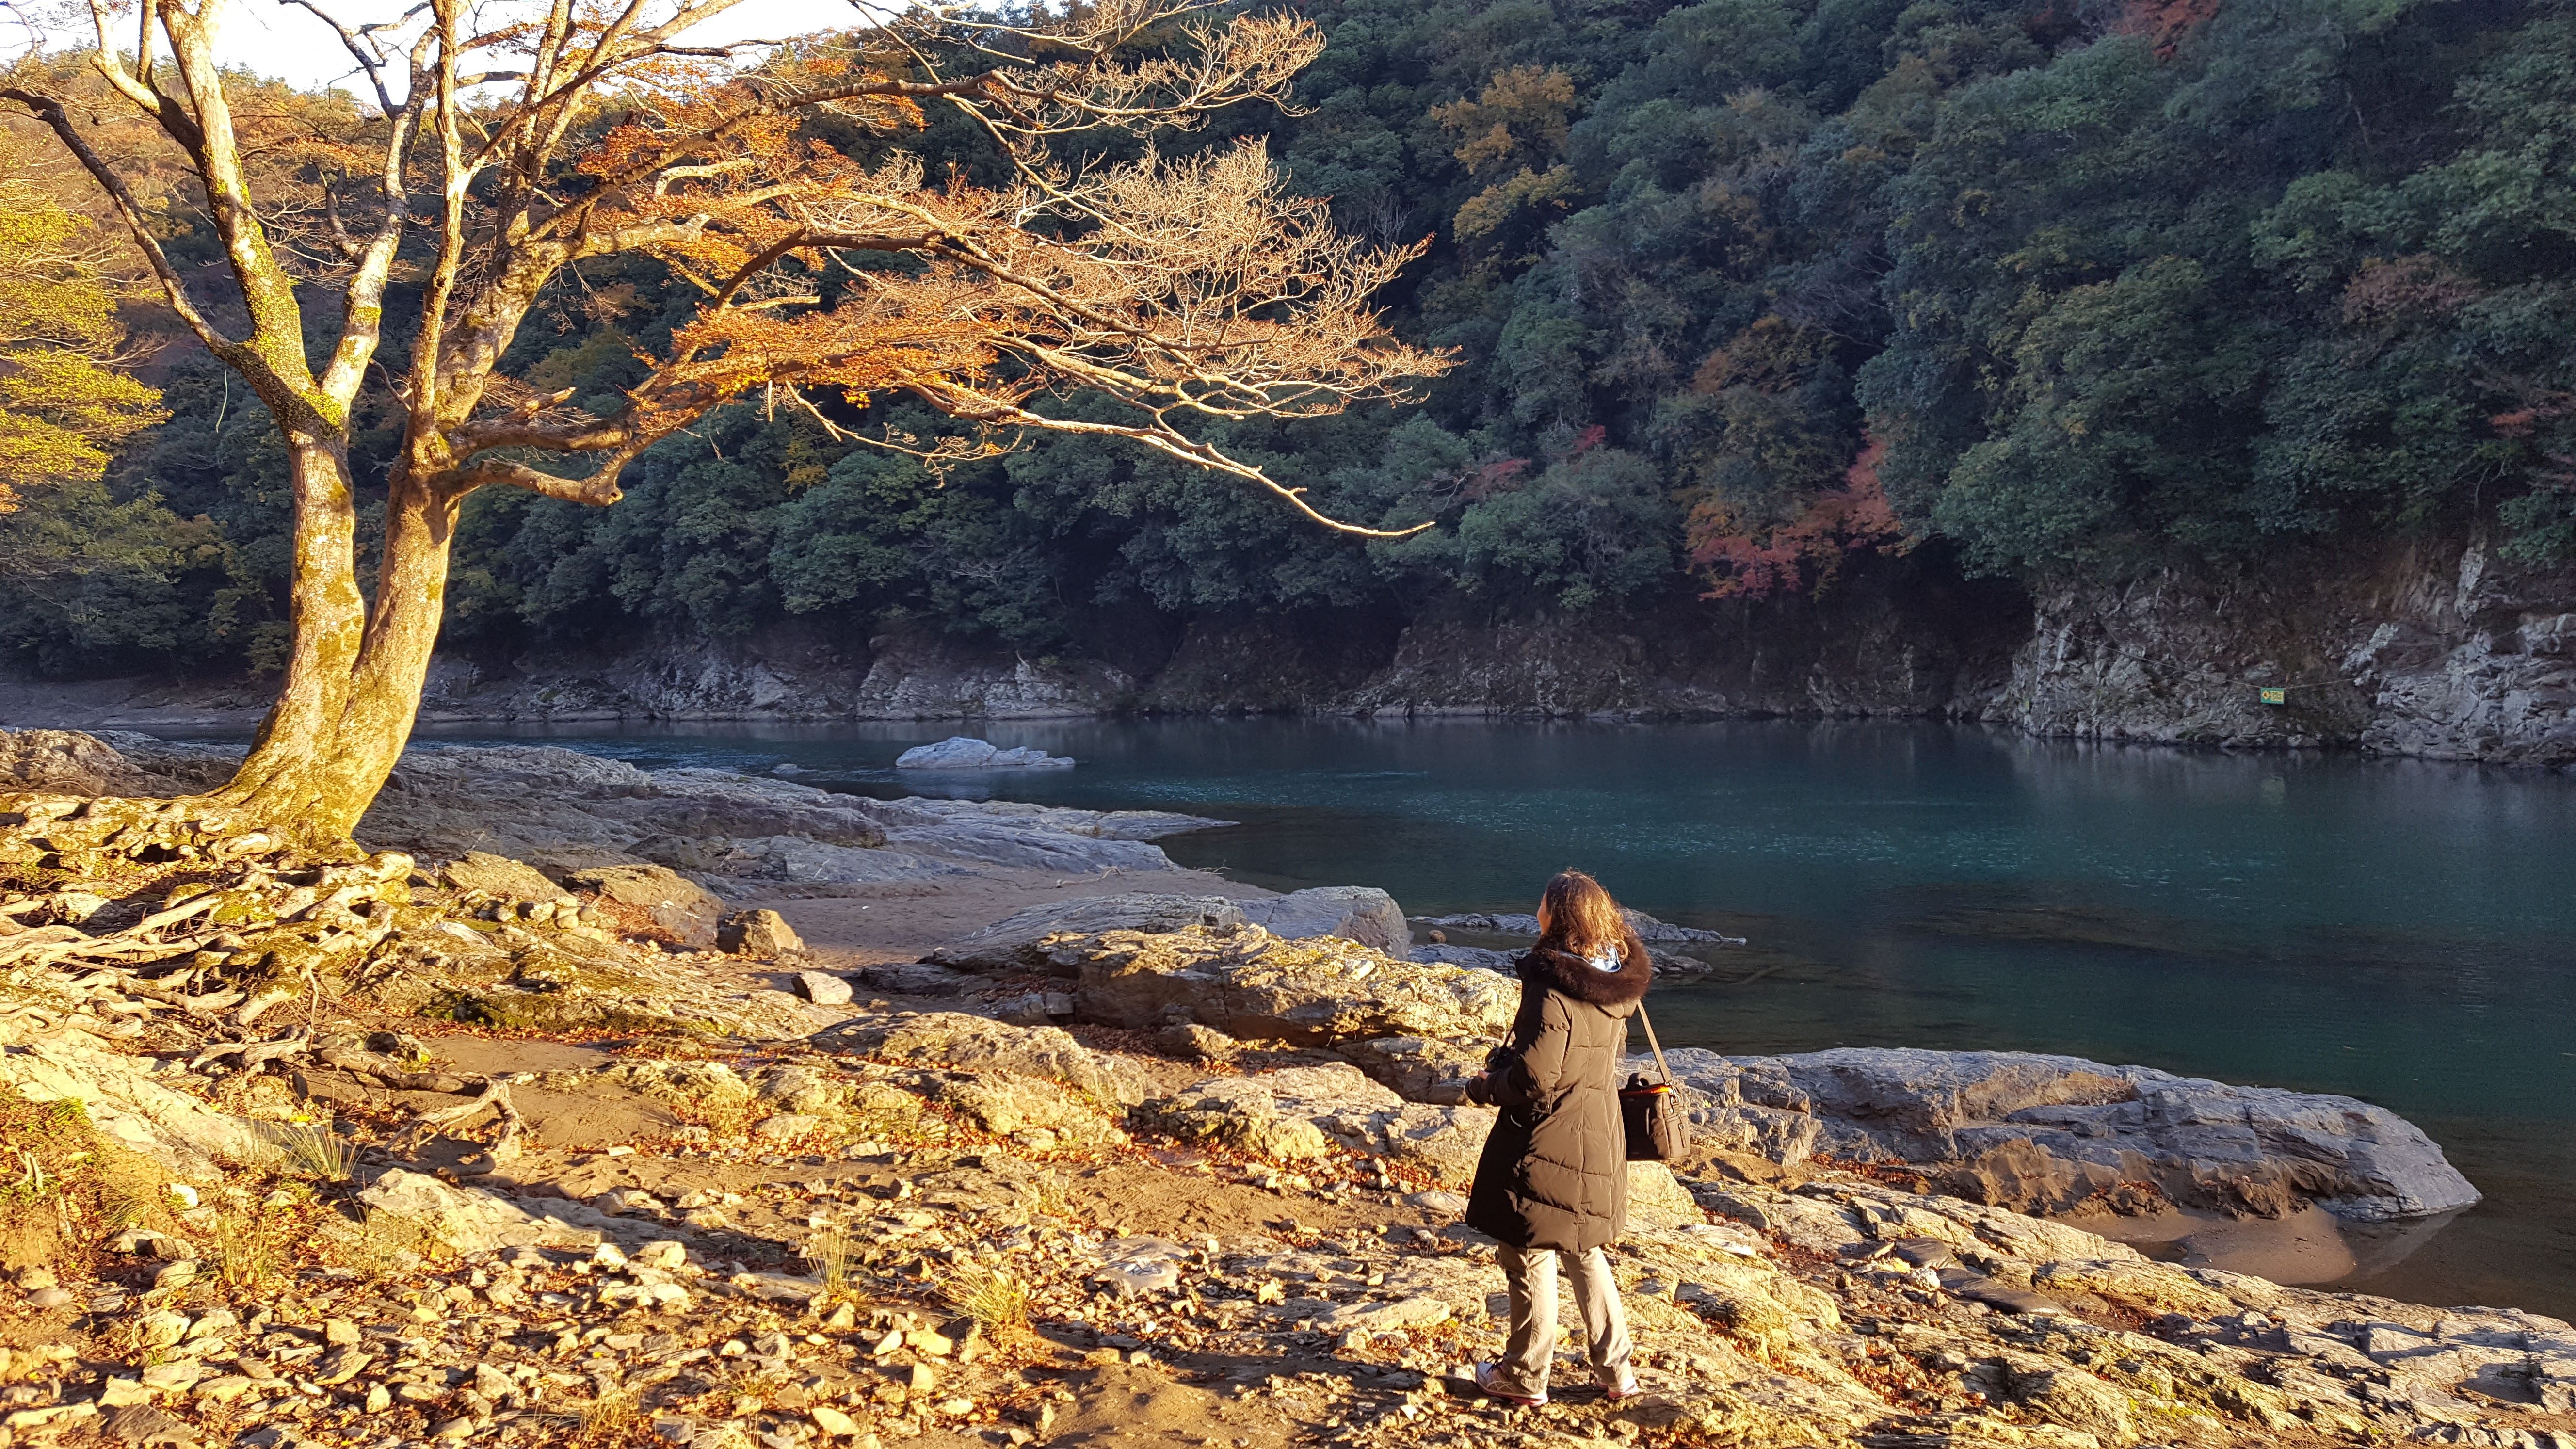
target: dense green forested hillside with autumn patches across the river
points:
(1738, 290)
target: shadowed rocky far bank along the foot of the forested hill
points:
(2428, 648)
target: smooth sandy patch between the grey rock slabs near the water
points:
(903, 922)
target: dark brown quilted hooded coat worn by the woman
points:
(1555, 1172)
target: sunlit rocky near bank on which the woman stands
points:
(522, 1162)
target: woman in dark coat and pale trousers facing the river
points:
(1555, 1174)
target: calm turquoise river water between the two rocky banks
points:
(2389, 929)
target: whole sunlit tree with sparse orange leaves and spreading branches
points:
(506, 148)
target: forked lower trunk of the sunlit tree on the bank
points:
(357, 672)
